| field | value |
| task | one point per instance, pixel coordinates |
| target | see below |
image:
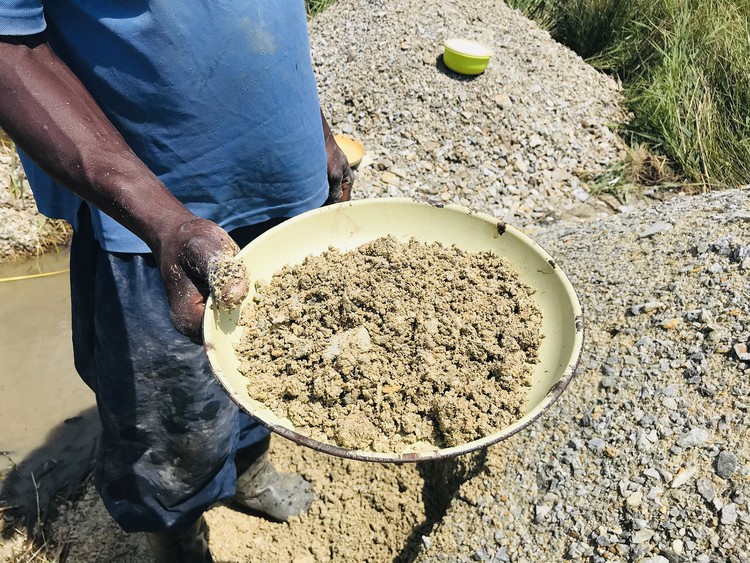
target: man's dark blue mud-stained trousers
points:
(169, 433)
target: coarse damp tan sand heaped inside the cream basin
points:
(393, 346)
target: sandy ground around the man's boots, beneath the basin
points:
(362, 512)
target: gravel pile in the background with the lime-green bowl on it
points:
(515, 141)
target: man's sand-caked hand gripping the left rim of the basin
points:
(193, 260)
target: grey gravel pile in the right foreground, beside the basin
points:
(646, 457)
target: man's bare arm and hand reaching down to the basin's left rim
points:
(48, 112)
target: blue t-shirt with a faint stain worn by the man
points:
(218, 98)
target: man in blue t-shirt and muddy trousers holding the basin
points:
(155, 128)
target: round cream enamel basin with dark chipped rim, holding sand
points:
(348, 225)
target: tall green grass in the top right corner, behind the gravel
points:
(684, 67)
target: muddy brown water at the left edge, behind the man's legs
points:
(47, 422)
